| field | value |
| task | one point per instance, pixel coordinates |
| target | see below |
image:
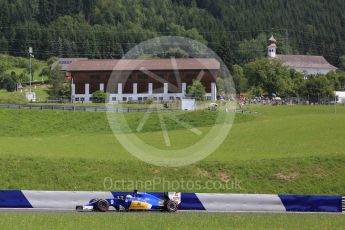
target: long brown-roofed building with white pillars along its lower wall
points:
(140, 80)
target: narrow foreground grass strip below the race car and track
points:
(171, 221)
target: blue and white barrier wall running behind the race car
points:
(190, 201)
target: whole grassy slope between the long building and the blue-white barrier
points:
(296, 149)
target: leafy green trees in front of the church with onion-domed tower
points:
(269, 77)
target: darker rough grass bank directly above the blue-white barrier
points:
(304, 175)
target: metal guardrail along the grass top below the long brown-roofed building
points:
(78, 108)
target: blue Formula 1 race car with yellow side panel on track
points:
(135, 202)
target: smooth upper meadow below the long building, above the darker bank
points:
(275, 132)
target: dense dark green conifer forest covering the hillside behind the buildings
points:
(233, 28)
